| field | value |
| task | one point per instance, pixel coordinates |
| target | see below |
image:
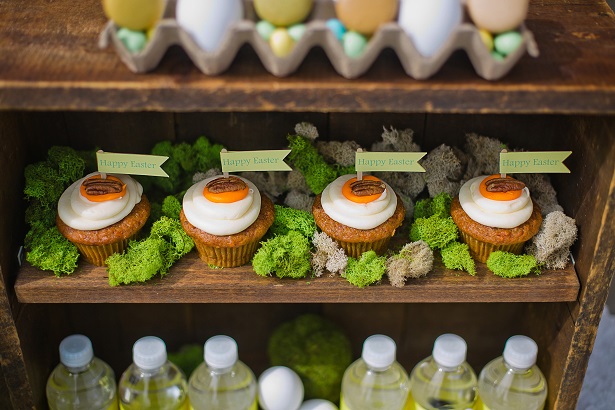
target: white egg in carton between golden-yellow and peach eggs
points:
(429, 23)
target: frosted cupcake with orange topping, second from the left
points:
(226, 217)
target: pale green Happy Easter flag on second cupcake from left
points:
(238, 161)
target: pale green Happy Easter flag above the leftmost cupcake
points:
(135, 164)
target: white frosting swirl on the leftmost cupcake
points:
(78, 212)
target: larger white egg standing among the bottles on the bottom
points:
(280, 388)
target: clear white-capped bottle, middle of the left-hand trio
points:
(151, 381)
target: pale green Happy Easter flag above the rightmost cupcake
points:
(534, 162)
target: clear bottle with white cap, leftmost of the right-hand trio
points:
(376, 380)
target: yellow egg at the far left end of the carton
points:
(137, 15)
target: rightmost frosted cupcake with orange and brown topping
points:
(495, 214)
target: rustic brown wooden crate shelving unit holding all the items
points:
(57, 89)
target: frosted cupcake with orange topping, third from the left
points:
(360, 215)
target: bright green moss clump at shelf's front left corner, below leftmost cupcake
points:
(51, 251)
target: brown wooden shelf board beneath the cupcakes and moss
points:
(191, 281)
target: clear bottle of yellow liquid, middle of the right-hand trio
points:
(444, 380)
